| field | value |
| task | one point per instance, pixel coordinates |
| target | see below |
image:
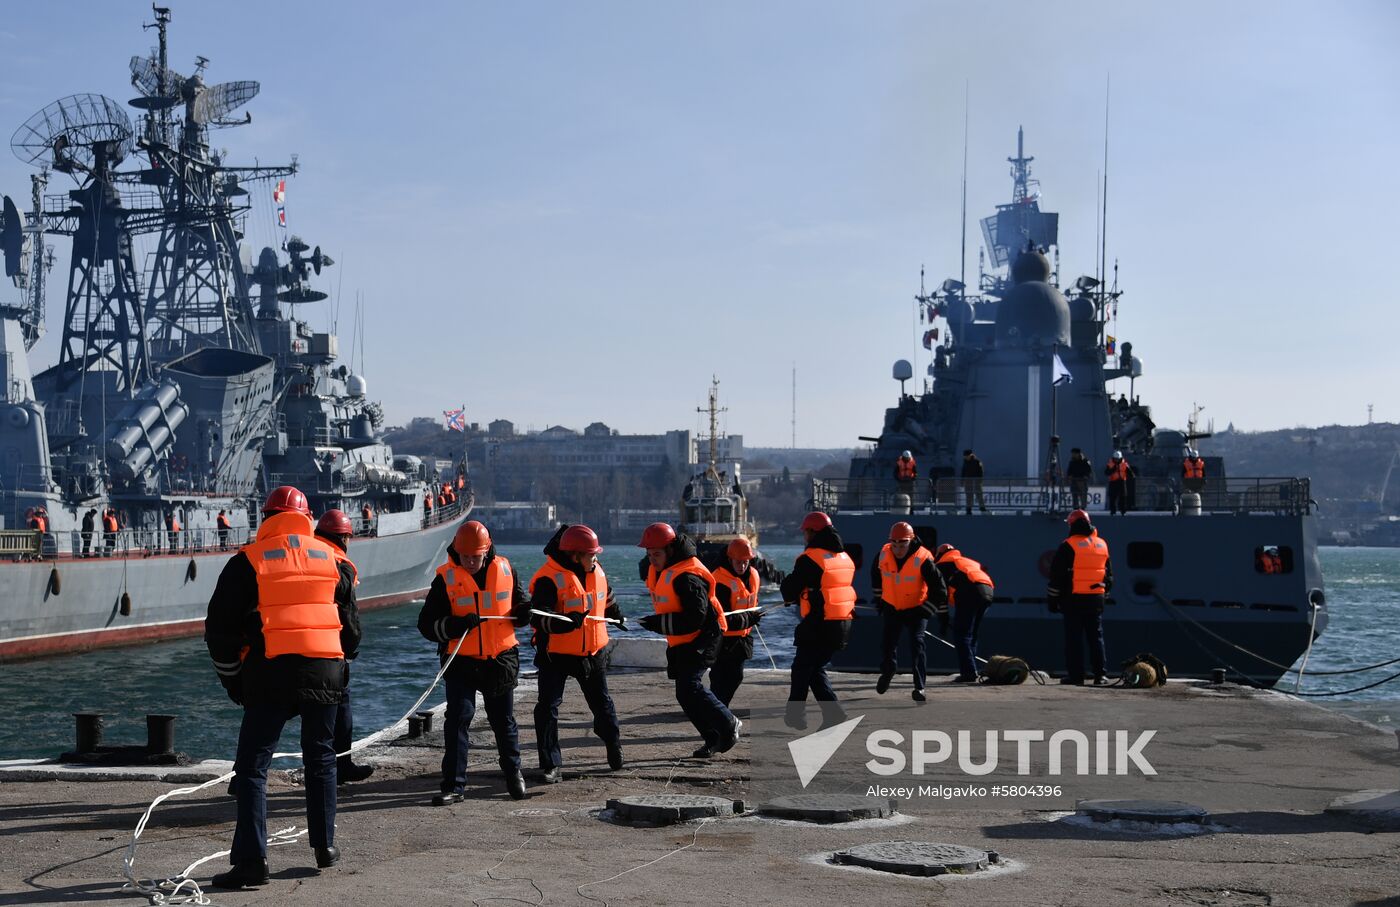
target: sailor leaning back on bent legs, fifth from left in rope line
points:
(688, 614)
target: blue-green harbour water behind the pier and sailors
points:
(38, 699)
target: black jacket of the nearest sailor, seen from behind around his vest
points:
(233, 624)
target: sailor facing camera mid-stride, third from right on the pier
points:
(908, 587)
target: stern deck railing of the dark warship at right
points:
(1280, 496)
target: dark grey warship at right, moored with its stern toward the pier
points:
(1216, 575)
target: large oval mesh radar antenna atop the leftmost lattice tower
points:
(66, 134)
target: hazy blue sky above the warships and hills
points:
(576, 212)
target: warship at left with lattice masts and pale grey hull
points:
(185, 386)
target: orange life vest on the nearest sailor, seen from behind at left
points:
(297, 582)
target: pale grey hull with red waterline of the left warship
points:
(169, 594)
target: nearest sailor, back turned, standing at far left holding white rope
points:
(279, 628)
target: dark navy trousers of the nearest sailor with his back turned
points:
(257, 741)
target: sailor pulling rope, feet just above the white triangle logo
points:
(822, 586)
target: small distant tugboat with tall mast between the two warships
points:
(715, 512)
